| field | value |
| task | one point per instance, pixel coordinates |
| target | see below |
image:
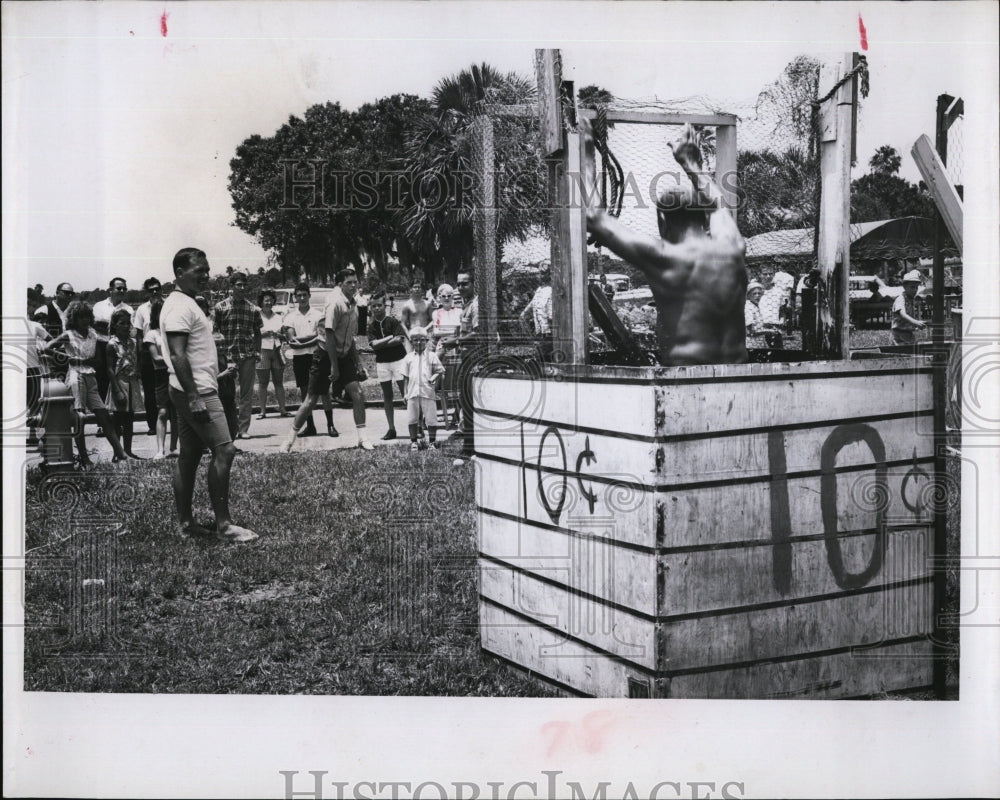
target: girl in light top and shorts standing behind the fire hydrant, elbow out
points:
(79, 344)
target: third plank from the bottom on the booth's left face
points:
(594, 566)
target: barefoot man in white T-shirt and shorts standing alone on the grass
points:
(193, 364)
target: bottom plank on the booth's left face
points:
(554, 655)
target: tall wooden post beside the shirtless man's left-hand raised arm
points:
(564, 150)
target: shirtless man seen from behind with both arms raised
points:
(697, 277)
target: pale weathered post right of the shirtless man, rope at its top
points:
(834, 247)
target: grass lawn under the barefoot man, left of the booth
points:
(350, 590)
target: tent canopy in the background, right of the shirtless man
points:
(904, 237)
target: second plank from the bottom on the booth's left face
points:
(603, 626)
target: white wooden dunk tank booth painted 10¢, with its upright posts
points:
(757, 530)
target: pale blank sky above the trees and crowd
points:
(120, 119)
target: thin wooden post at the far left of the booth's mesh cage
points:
(485, 228)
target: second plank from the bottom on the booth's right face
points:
(799, 628)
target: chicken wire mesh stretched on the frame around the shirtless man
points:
(778, 183)
